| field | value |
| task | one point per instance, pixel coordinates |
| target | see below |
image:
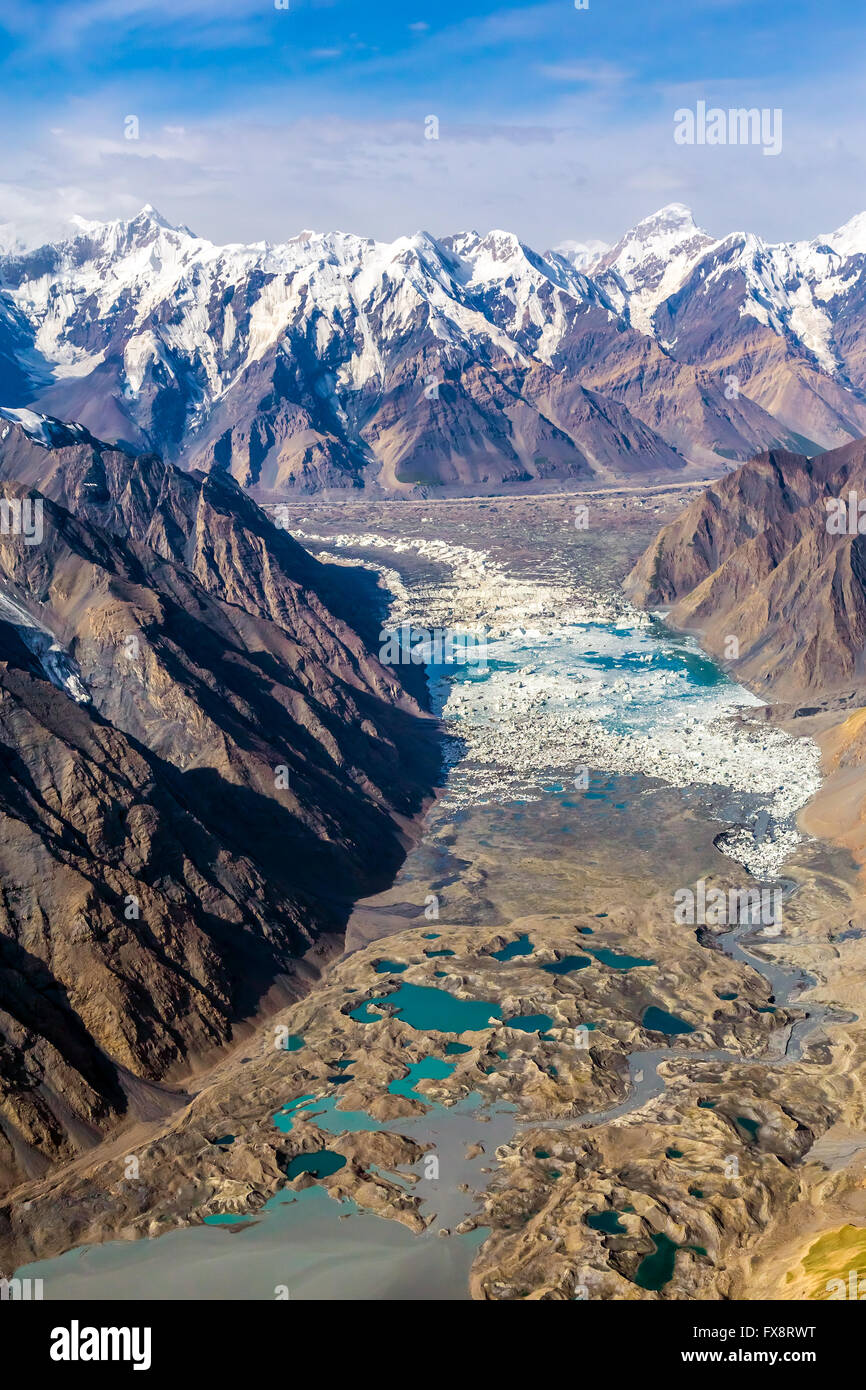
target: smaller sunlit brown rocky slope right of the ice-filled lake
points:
(758, 559)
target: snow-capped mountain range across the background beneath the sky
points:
(450, 365)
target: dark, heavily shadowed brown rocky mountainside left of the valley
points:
(204, 767)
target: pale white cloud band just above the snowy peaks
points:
(587, 167)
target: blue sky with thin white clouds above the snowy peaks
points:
(558, 123)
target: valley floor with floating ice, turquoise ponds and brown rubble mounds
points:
(616, 1104)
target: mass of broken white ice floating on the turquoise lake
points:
(578, 679)
